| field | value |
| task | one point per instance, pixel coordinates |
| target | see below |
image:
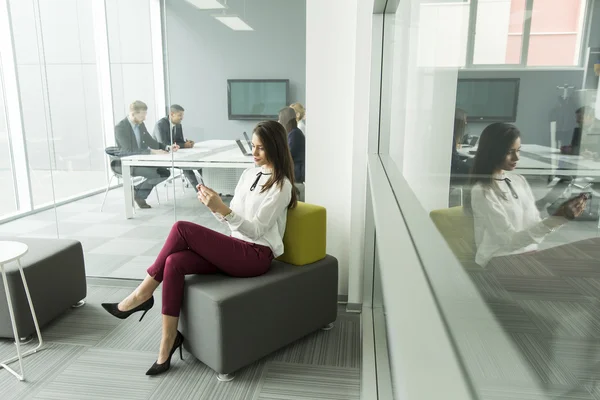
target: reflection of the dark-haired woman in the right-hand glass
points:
(506, 219)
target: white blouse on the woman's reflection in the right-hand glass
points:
(505, 224)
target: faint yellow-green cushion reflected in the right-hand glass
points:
(457, 229)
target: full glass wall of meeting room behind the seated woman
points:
(69, 71)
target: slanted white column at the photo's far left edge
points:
(14, 116)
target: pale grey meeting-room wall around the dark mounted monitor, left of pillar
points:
(203, 54)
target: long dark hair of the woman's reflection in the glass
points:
(494, 144)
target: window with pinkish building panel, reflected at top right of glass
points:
(527, 32)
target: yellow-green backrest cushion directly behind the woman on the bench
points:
(305, 240)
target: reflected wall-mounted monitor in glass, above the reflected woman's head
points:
(488, 100)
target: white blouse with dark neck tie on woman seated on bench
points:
(259, 217)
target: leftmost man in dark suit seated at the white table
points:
(132, 137)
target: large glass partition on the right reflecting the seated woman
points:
(510, 85)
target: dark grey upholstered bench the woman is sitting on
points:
(229, 323)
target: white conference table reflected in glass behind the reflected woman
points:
(542, 161)
